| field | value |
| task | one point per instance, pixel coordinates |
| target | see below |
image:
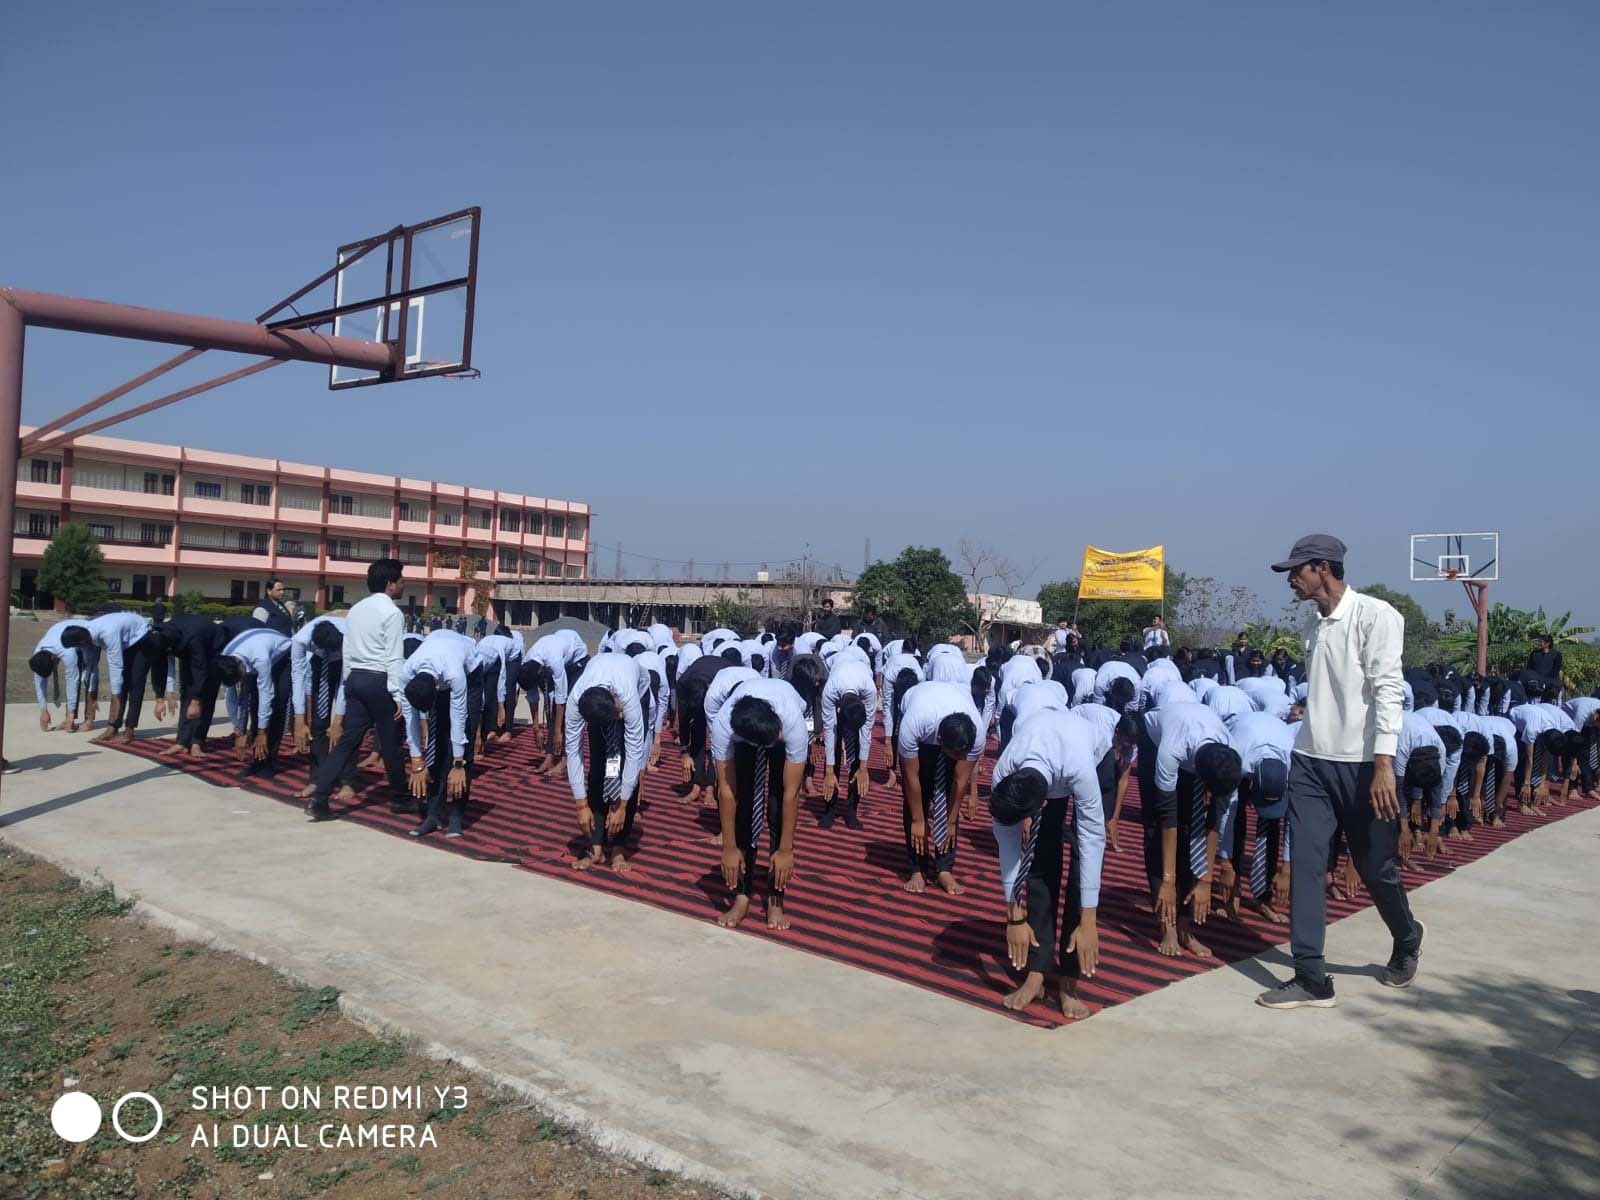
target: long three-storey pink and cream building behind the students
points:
(172, 519)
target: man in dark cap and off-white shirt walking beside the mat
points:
(1343, 772)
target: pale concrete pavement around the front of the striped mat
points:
(793, 1076)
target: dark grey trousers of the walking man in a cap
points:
(1324, 794)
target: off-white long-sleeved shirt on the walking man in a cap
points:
(1353, 674)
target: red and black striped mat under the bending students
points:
(846, 902)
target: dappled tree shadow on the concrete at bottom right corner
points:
(1518, 1079)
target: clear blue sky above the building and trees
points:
(762, 278)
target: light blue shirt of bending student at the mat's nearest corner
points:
(1062, 750)
